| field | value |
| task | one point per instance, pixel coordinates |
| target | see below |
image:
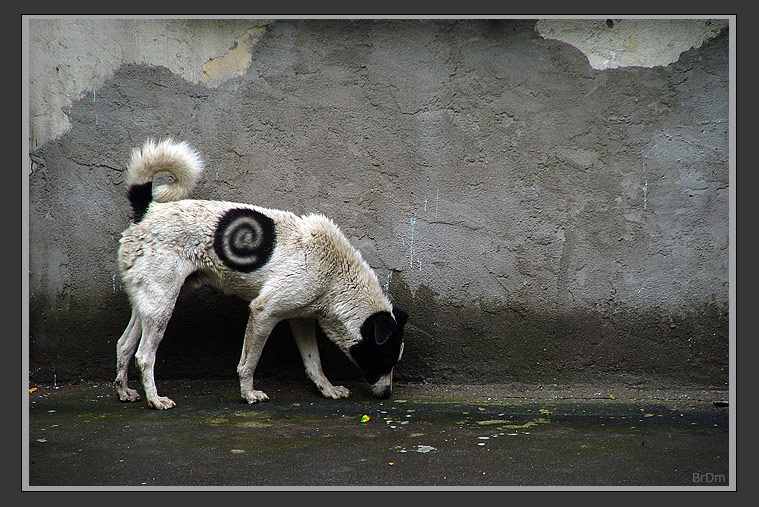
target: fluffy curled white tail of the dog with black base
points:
(179, 159)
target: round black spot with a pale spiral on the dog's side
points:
(244, 239)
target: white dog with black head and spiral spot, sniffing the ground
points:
(289, 267)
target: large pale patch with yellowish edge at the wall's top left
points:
(65, 67)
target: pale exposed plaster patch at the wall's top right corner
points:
(610, 44)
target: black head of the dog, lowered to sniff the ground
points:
(380, 347)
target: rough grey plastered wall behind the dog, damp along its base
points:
(542, 217)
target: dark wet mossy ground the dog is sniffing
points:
(423, 436)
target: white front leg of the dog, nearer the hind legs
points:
(260, 324)
